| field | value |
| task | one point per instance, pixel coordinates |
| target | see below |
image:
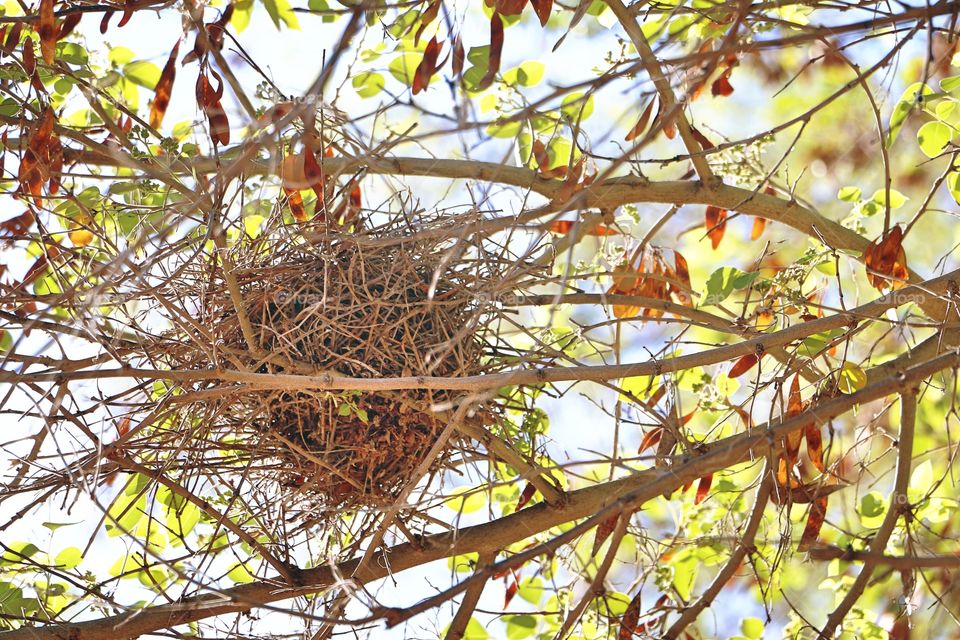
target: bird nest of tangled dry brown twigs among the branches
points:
(404, 304)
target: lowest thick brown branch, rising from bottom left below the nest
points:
(592, 502)
